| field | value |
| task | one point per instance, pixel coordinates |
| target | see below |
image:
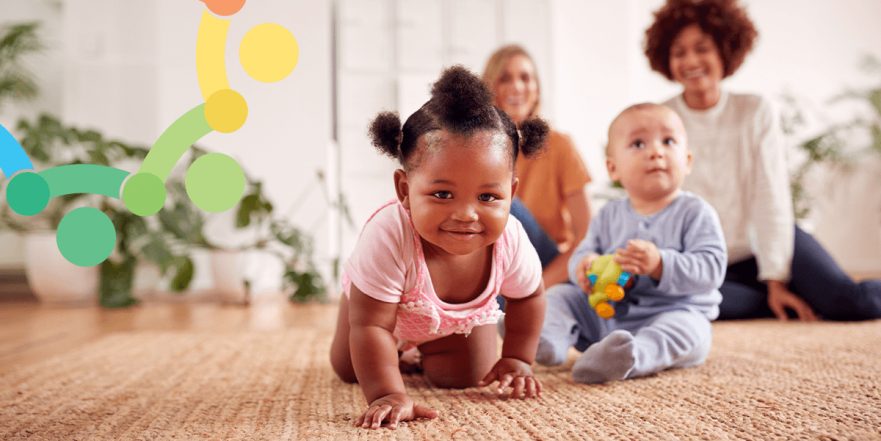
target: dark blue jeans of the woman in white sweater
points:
(815, 277)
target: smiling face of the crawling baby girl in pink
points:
(459, 192)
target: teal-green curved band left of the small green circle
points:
(84, 178)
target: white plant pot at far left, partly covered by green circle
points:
(52, 278)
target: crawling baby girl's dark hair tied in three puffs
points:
(462, 104)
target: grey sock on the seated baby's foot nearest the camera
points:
(612, 358)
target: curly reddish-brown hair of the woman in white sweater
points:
(724, 20)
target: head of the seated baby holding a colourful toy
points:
(648, 152)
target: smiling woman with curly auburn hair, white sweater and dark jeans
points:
(740, 169)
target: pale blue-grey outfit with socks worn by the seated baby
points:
(659, 324)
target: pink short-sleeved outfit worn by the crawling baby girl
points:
(388, 265)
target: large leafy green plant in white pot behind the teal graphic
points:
(50, 143)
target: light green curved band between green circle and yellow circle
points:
(174, 142)
